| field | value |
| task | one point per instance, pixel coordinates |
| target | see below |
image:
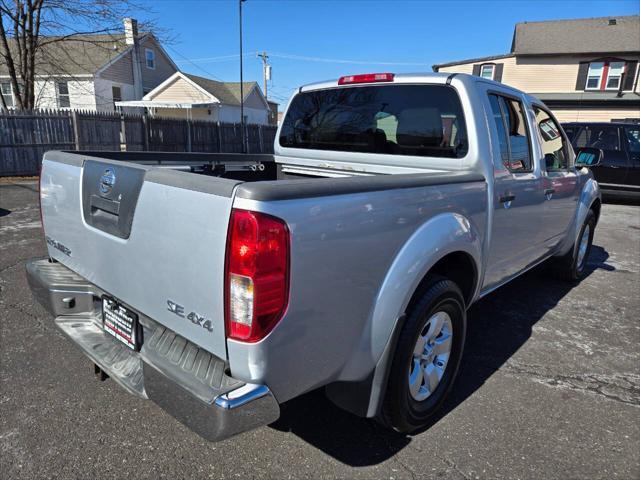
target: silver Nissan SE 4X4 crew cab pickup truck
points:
(222, 285)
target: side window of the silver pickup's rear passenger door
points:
(510, 121)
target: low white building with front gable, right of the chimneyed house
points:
(183, 95)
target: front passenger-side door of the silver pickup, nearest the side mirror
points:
(560, 180)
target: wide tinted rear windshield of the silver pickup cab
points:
(419, 120)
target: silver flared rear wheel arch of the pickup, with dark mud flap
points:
(448, 245)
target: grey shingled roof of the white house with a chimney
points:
(80, 55)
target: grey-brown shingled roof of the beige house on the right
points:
(584, 35)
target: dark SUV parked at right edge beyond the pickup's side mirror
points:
(619, 171)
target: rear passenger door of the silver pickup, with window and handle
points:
(518, 203)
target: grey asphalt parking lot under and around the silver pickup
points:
(550, 388)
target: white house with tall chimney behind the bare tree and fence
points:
(93, 72)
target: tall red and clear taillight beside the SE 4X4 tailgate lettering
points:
(257, 274)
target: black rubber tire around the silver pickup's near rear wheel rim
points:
(400, 410)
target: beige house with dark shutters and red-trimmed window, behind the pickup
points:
(583, 69)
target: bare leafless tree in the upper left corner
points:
(28, 28)
